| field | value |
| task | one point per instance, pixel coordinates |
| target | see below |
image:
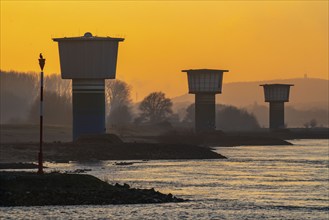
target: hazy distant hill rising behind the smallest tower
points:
(308, 100)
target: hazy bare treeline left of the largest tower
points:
(20, 94)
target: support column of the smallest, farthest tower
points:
(277, 115)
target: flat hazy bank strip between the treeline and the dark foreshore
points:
(24, 133)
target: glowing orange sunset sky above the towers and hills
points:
(254, 40)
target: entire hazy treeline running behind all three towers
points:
(20, 104)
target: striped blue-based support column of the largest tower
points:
(88, 100)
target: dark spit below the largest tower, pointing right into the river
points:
(95, 151)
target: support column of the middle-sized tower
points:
(205, 112)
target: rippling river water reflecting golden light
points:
(256, 182)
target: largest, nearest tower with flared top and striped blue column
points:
(88, 60)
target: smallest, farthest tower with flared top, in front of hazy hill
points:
(276, 95)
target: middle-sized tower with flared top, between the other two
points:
(205, 84)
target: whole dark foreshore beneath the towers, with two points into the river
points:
(110, 147)
